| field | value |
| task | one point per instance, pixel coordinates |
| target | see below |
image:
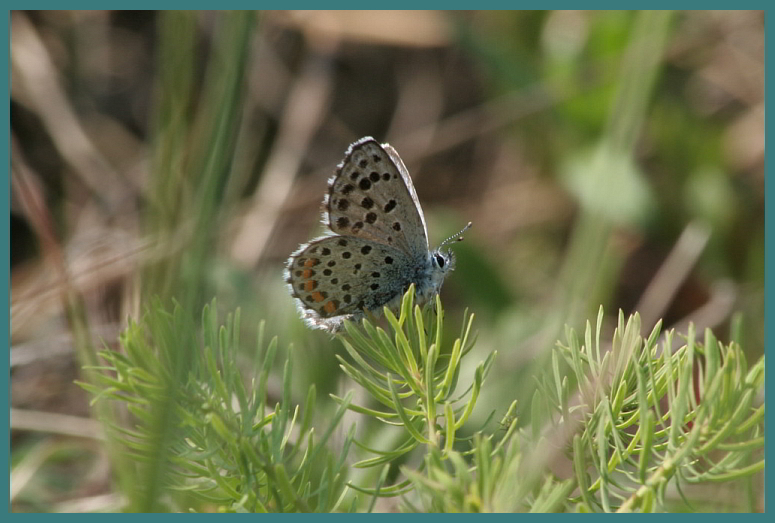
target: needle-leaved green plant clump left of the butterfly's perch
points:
(227, 445)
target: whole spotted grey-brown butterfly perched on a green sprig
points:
(376, 246)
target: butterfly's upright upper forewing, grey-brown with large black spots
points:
(371, 196)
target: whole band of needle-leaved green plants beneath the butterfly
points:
(643, 418)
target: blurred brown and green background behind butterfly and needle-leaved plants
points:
(604, 158)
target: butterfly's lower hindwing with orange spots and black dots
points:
(337, 277)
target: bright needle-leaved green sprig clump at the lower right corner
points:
(646, 416)
